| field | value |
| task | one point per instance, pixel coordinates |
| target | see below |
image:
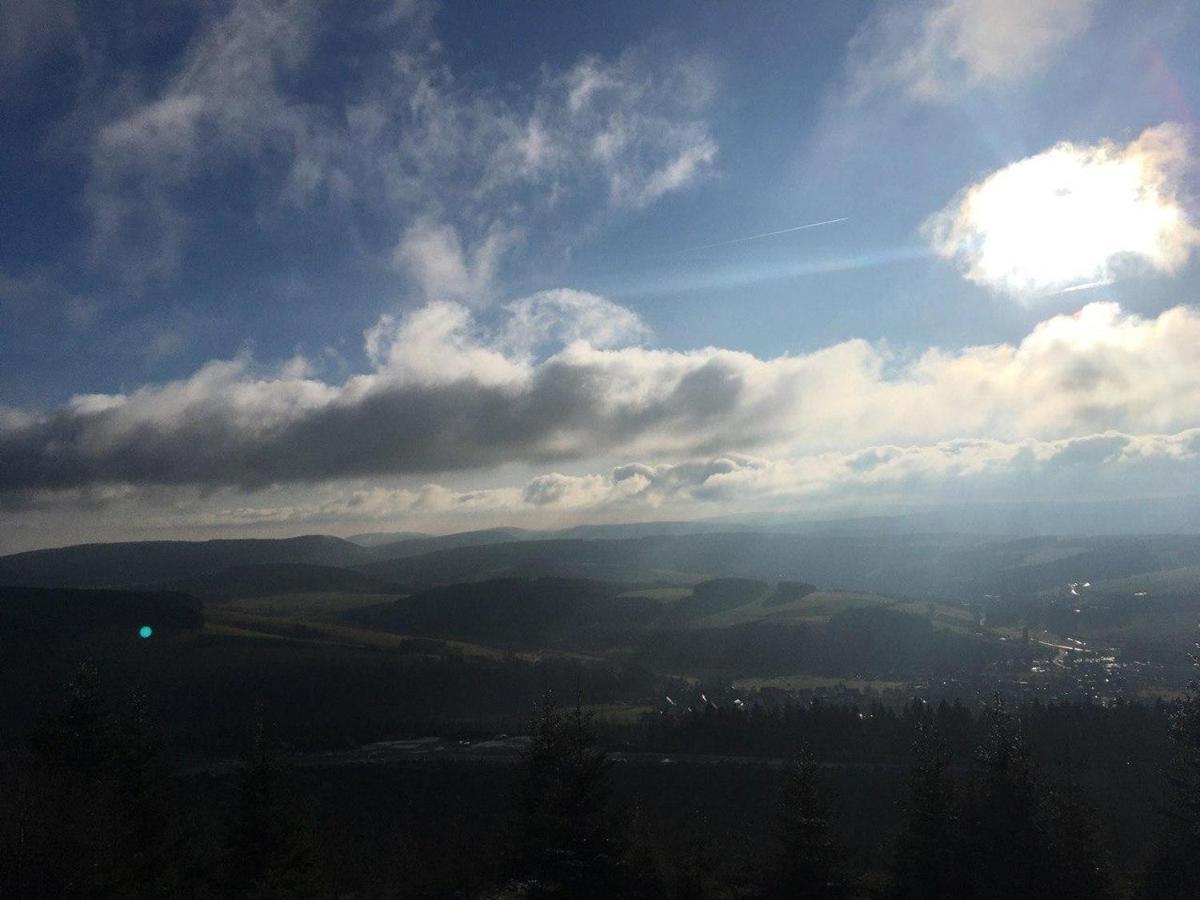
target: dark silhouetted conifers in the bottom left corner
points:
(92, 811)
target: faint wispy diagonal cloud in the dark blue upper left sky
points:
(225, 103)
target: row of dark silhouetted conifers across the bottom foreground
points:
(95, 806)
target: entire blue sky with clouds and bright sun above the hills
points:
(283, 267)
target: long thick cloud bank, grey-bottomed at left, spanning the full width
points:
(451, 394)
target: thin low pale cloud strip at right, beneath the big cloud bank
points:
(1093, 466)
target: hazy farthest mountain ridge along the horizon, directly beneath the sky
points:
(949, 566)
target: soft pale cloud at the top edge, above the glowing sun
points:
(928, 50)
